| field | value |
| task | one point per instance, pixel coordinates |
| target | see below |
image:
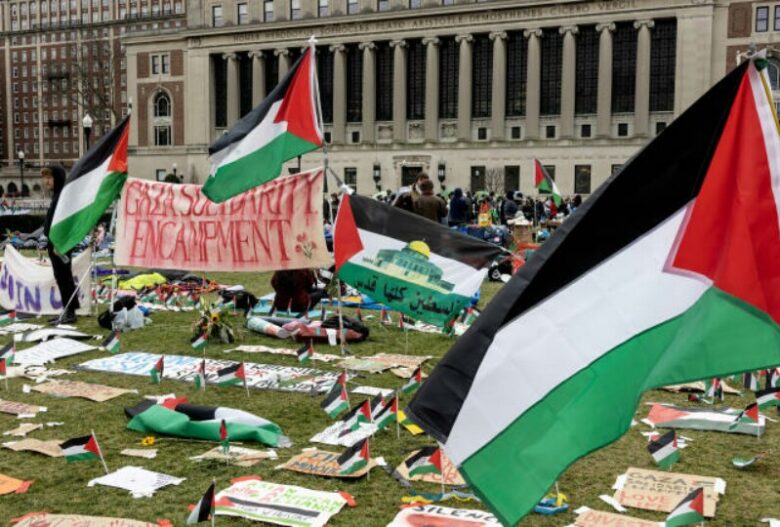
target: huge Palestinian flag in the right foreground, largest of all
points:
(616, 303)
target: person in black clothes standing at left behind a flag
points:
(54, 180)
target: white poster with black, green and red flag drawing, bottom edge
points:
(278, 504)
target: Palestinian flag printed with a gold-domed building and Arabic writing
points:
(402, 260)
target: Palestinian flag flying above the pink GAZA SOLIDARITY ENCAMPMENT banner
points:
(284, 126)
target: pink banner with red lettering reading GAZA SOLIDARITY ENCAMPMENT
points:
(275, 226)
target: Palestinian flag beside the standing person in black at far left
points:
(92, 185)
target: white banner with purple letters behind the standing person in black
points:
(28, 286)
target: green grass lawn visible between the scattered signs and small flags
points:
(61, 488)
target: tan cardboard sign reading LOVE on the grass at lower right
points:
(662, 491)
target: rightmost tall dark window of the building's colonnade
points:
(663, 52)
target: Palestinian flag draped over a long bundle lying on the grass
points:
(203, 422)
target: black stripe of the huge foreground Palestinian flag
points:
(657, 182)
